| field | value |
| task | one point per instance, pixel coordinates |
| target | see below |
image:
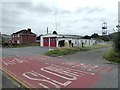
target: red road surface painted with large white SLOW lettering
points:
(48, 72)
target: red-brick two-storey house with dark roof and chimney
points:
(24, 37)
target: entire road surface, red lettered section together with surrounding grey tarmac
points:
(82, 70)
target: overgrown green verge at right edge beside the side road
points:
(112, 56)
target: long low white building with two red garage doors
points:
(59, 40)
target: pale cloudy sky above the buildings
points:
(81, 17)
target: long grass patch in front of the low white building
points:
(64, 51)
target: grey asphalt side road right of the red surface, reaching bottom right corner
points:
(95, 57)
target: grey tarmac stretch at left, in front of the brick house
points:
(25, 51)
